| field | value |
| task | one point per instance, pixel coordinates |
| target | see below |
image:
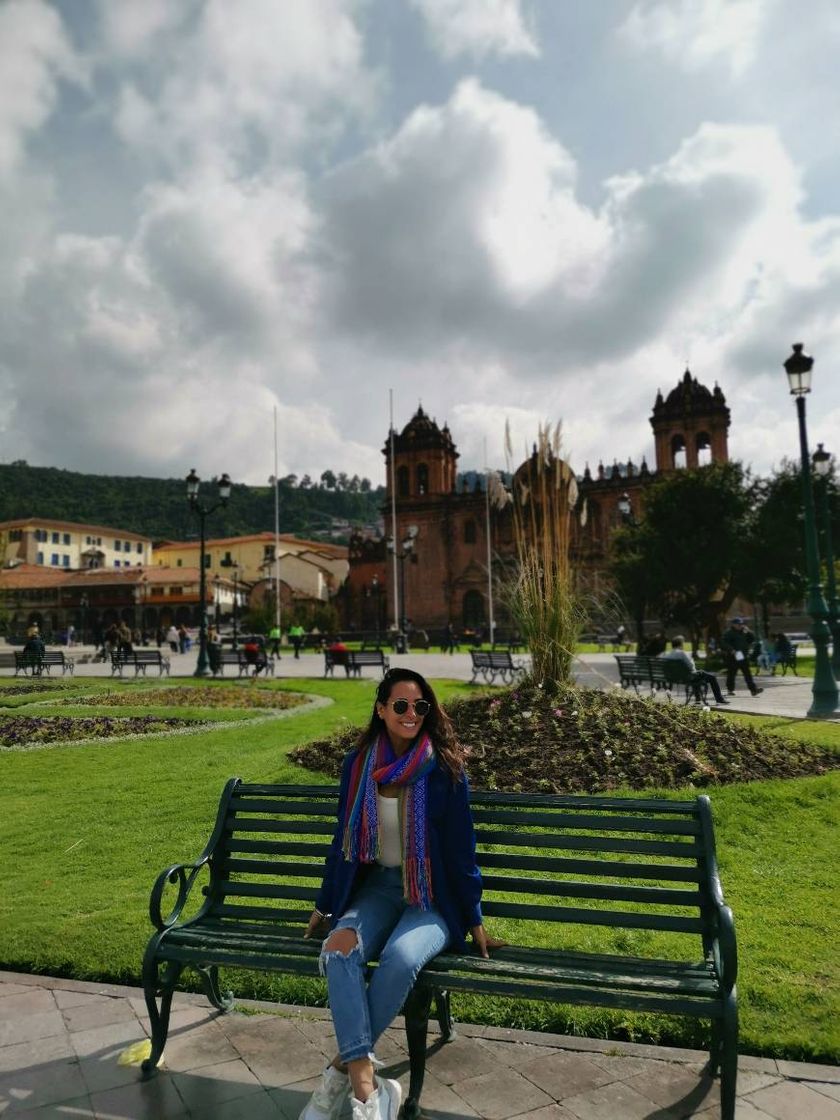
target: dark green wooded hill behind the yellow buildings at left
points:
(158, 508)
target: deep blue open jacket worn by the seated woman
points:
(456, 881)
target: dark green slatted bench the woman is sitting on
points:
(559, 873)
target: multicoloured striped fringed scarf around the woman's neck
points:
(379, 766)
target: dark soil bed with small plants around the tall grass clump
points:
(583, 741)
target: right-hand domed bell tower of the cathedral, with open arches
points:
(690, 421)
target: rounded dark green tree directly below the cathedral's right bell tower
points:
(686, 557)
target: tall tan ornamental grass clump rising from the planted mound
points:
(542, 596)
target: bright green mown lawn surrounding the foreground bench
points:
(87, 829)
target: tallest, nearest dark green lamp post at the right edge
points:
(825, 703)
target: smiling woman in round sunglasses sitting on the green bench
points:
(400, 885)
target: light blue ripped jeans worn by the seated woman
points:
(402, 938)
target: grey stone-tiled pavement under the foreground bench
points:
(62, 1043)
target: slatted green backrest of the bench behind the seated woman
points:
(627, 864)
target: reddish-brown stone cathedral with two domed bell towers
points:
(442, 525)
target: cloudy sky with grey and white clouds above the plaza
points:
(525, 210)
